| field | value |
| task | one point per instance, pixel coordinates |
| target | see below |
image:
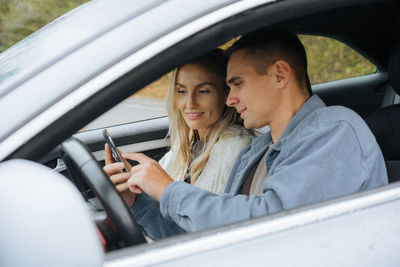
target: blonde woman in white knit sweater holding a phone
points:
(206, 135)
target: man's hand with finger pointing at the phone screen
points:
(148, 175)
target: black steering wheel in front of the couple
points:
(84, 163)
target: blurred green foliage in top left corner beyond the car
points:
(19, 18)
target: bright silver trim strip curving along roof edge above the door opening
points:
(32, 128)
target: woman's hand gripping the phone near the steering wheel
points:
(118, 177)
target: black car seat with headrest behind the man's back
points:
(385, 123)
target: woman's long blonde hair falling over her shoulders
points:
(182, 136)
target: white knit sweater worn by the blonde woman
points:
(222, 157)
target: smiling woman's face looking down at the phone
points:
(199, 96)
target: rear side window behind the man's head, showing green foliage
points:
(331, 60)
